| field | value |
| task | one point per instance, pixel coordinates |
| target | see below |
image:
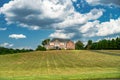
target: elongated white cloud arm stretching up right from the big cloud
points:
(76, 19)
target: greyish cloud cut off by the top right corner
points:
(108, 2)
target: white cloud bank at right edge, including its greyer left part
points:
(96, 28)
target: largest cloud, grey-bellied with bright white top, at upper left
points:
(42, 13)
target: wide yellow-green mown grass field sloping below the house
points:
(61, 65)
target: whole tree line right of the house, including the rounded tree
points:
(113, 44)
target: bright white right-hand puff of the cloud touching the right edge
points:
(108, 28)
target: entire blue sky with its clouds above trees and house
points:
(25, 24)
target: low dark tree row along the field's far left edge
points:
(11, 51)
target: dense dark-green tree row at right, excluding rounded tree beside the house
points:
(113, 44)
